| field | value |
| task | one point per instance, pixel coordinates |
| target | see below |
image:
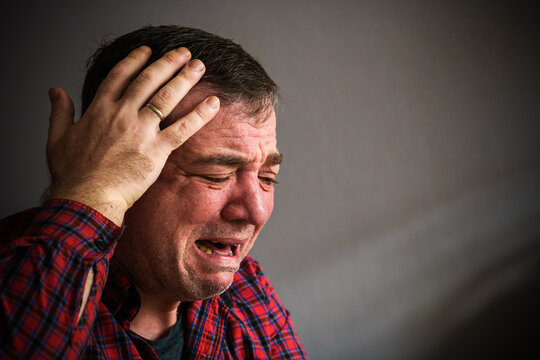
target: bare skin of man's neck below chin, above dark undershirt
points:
(155, 317)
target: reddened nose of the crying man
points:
(248, 202)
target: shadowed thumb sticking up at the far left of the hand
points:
(61, 117)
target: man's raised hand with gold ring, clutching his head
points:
(112, 155)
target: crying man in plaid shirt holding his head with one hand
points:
(158, 193)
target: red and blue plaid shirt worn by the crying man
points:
(45, 256)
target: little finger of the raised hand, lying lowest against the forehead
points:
(182, 129)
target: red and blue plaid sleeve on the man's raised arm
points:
(45, 257)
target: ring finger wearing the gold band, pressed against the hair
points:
(170, 95)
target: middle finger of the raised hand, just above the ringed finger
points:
(154, 76)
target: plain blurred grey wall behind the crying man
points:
(407, 218)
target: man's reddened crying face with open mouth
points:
(189, 232)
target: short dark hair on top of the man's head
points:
(230, 71)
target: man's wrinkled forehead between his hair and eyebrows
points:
(230, 132)
